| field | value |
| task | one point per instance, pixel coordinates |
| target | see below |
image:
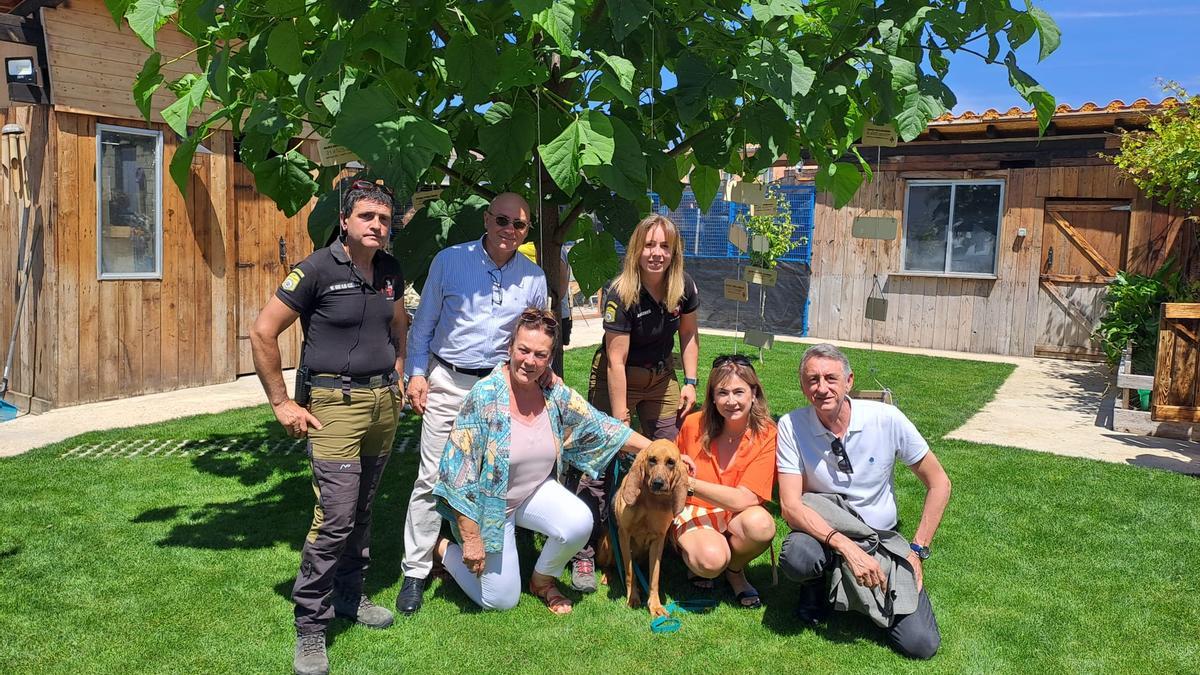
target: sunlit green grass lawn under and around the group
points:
(185, 564)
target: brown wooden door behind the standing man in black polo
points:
(268, 246)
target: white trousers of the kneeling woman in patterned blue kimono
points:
(555, 512)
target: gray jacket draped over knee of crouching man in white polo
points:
(889, 548)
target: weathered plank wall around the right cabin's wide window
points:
(970, 315)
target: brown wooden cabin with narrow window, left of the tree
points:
(135, 288)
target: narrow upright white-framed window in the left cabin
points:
(129, 202)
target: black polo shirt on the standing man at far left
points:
(347, 322)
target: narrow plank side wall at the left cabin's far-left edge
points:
(32, 384)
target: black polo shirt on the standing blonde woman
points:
(651, 326)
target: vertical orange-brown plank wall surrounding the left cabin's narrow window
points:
(137, 337)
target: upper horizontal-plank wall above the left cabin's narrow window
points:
(94, 64)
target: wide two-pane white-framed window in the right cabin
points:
(953, 226)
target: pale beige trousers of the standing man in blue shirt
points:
(423, 523)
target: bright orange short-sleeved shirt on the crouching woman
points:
(753, 467)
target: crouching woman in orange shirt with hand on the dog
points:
(733, 441)
